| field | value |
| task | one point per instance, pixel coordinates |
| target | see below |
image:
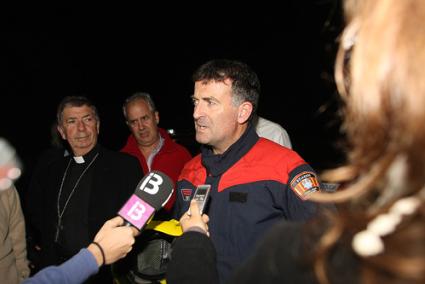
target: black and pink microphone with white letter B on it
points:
(152, 193)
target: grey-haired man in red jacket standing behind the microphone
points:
(150, 144)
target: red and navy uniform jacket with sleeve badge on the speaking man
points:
(254, 184)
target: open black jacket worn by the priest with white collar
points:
(114, 179)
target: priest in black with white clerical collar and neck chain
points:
(81, 191)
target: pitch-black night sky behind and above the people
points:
(107, 53)
